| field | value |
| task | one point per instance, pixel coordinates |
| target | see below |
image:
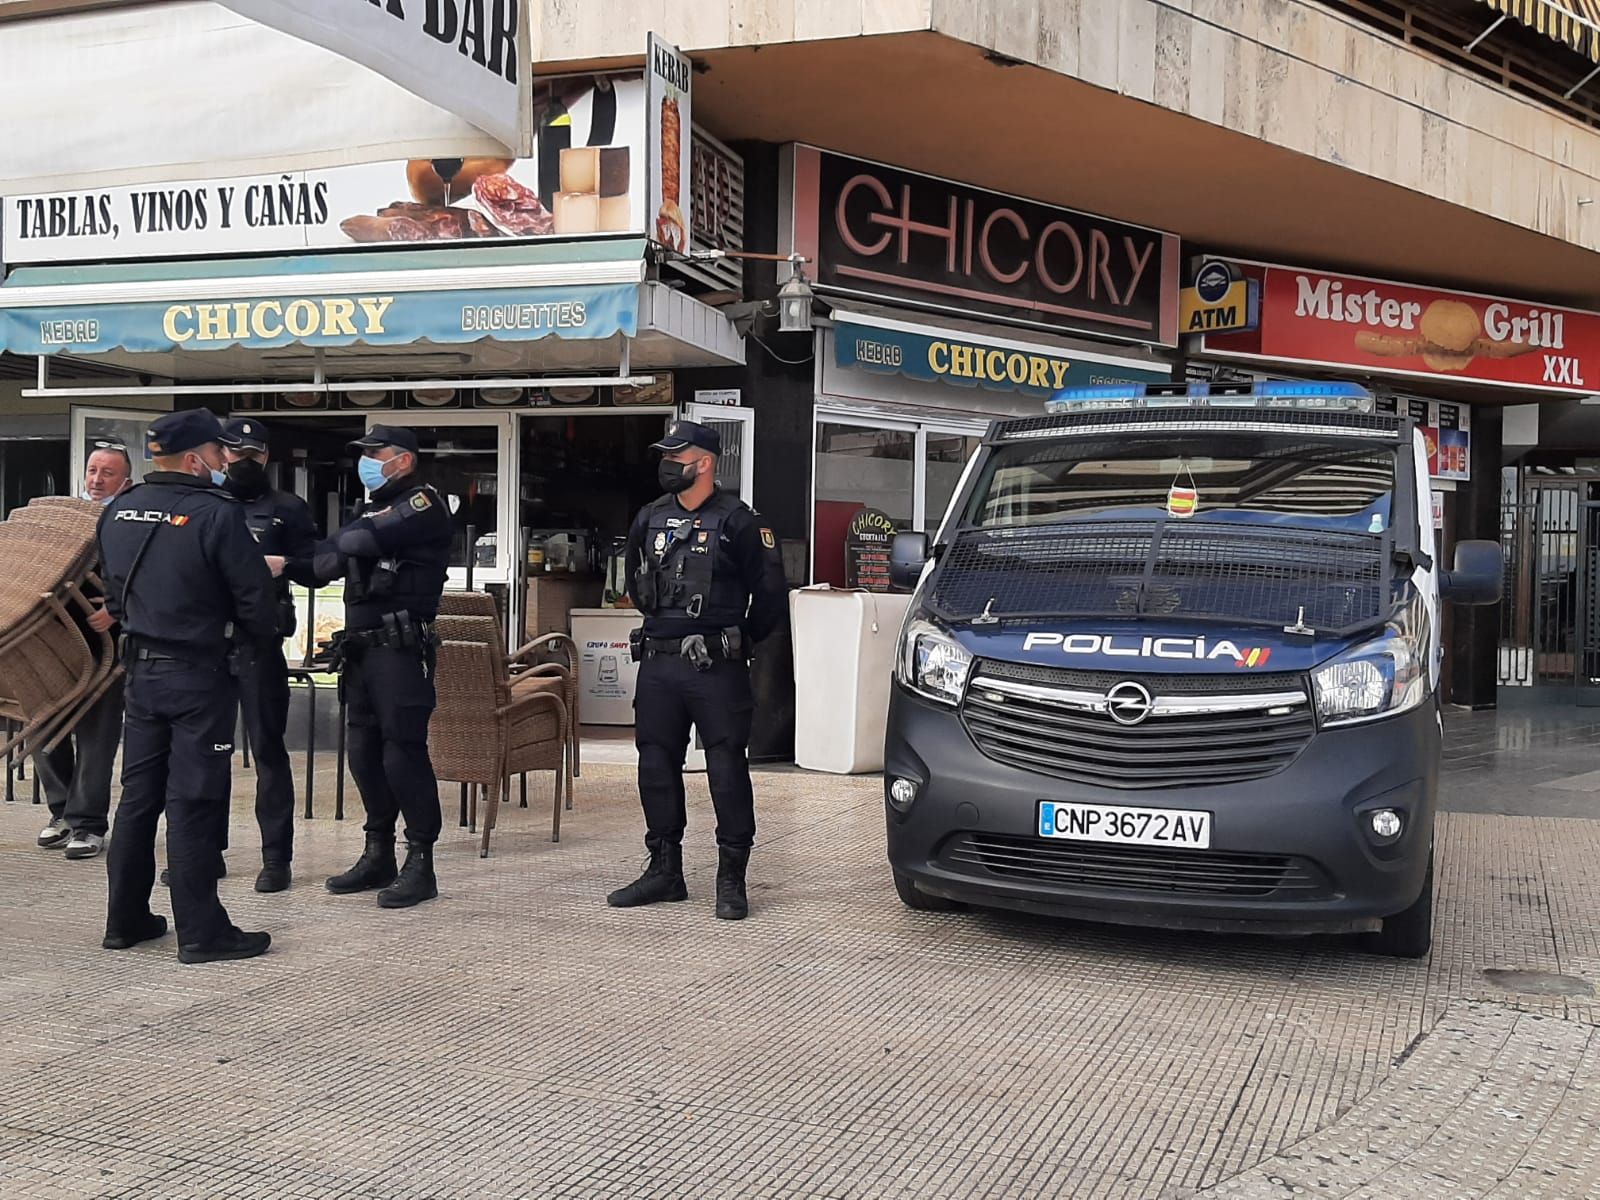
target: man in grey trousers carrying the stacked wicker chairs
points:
(78, 774)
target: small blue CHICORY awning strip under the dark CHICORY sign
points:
(974, 364)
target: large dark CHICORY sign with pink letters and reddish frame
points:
(916, 239)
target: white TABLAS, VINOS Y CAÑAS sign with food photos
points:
(586, 177)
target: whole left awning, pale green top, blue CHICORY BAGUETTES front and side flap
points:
(193, 314)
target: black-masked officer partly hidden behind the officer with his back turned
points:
(282, 526)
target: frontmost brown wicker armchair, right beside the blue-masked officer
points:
(482, 735)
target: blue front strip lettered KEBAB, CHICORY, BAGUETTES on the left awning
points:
(450, 318)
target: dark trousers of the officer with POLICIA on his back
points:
(177, 758)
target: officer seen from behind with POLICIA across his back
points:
(183, 578)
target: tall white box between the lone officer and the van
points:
(844, 647)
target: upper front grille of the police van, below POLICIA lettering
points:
(1049, 737)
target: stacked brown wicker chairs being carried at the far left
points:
(52, 666)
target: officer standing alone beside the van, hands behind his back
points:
(710, 580)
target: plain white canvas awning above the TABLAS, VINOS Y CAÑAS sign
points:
(188, 90)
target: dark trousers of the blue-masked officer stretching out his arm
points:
(390, 697)
